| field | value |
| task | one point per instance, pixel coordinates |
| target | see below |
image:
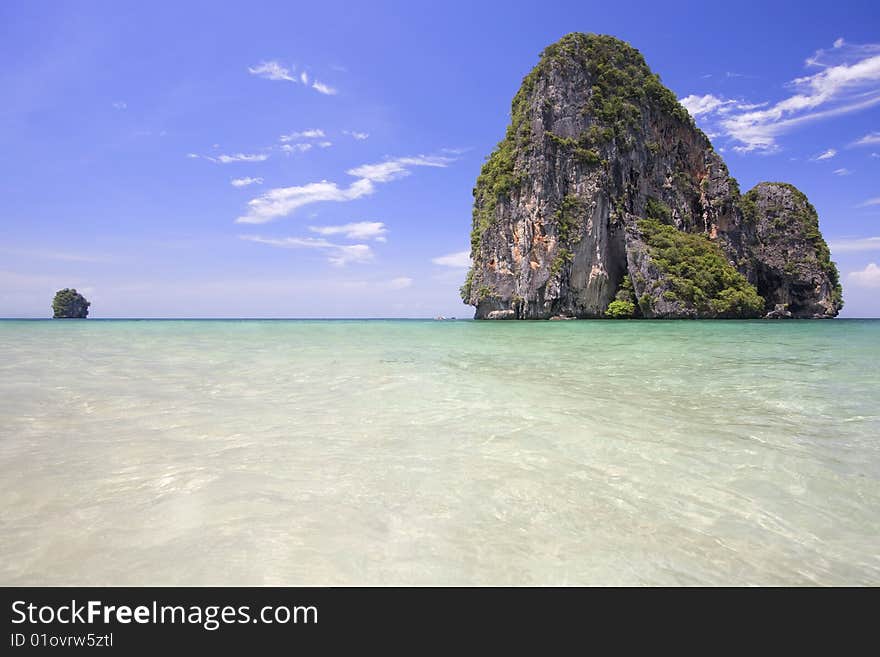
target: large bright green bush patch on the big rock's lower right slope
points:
(699, 274)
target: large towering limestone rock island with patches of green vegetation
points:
(604, 199)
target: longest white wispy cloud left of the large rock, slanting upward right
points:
(283, 201)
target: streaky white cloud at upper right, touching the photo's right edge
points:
(848, 81)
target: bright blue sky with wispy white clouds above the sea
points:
(279, 159)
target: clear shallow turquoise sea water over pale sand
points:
(420, 452)
